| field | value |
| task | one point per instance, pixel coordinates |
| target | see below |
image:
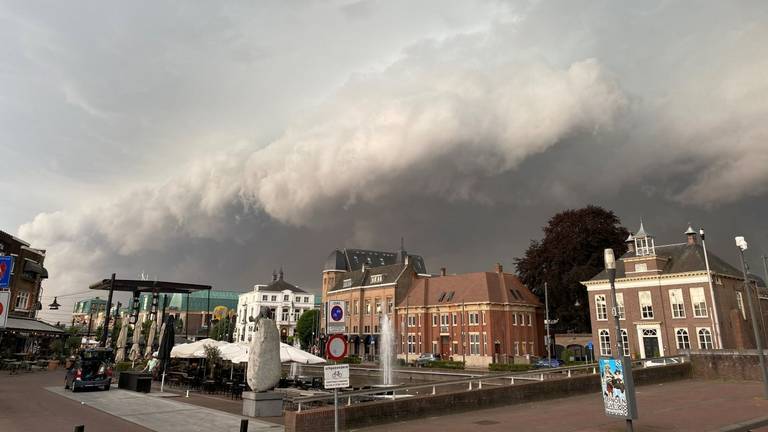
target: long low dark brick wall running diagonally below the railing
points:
(367, 414)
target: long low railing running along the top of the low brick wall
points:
(476, 382)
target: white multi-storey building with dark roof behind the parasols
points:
(286, 301)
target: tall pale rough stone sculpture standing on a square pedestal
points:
(264, 369)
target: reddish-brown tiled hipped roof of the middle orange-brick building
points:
(477, 287)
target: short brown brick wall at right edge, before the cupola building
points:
(740, 365)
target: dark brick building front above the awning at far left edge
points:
(27, 274)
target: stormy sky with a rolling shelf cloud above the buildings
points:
(213, 142)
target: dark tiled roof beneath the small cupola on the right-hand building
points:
(682, 258)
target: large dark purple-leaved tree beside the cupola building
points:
(570, 252)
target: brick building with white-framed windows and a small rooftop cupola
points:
(668, 301)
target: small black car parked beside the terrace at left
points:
(92, 369)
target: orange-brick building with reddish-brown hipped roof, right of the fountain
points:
(478, 318)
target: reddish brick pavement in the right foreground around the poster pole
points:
(680, 406)
